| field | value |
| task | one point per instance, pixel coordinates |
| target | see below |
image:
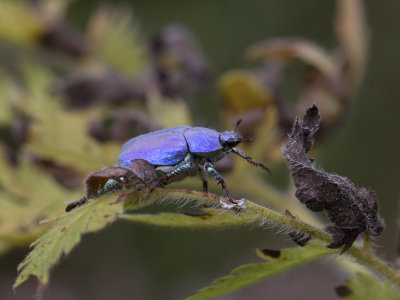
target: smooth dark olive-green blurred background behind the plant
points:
(133, 261)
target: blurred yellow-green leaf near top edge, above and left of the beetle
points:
(115, 39)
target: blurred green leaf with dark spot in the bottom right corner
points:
(367, 287)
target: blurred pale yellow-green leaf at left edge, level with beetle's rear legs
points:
(27, 195)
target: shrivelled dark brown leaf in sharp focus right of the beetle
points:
(352, 210)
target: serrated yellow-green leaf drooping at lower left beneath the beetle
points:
(93, 216)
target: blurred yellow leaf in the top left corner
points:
(18, 23)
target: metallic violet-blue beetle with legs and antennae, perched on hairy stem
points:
(182, 151)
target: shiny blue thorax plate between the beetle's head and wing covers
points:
(202, 141)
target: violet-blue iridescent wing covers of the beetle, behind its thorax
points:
(164, 147)
